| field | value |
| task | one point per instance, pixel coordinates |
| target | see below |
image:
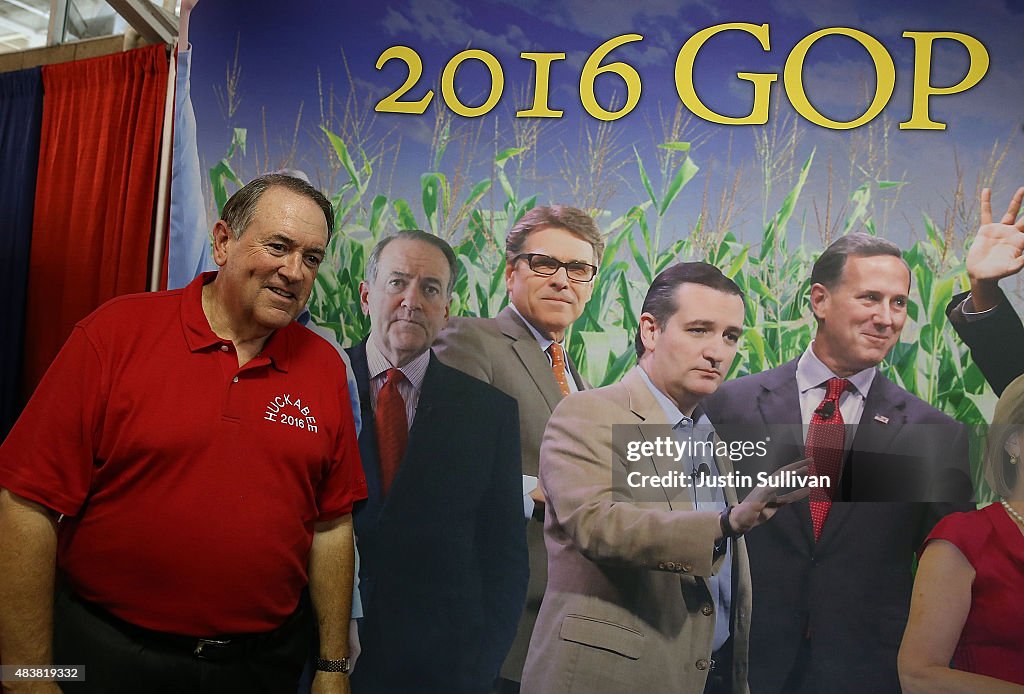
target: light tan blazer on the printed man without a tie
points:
(628, 606)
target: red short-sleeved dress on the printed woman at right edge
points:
(993, 640)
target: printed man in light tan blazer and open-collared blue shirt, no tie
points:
(649, 586)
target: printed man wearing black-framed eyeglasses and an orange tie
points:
(552, 256)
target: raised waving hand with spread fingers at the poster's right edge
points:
(997, 252)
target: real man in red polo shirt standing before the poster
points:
(187, 467)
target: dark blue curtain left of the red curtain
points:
(21, 118)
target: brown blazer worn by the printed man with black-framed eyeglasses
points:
(503, 353)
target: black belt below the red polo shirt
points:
(218, 648)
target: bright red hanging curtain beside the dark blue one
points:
(96, 194)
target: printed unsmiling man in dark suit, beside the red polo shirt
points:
(442, 539)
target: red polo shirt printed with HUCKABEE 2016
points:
(190, 486)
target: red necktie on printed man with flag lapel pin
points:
(826, 439)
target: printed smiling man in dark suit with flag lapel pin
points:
(832, 581)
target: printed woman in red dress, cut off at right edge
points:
(966, 631)
